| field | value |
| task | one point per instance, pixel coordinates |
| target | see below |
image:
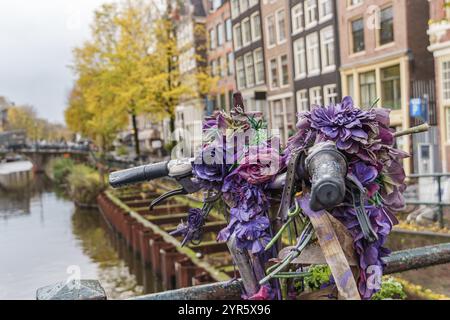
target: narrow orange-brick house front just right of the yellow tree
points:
(220, 54)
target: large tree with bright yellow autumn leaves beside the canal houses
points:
(128, 68)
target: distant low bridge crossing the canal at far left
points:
(41, 157)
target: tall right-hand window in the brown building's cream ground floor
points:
(390, 87)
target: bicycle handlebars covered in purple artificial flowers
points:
(328, 198)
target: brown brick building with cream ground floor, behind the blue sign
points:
(384, 62)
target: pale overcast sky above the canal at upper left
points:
(36, 41)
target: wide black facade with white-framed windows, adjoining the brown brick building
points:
(316, 54)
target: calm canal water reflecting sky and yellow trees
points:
(44, 239)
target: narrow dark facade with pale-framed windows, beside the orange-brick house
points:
(248, 44)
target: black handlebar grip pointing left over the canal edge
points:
(139, 174)
